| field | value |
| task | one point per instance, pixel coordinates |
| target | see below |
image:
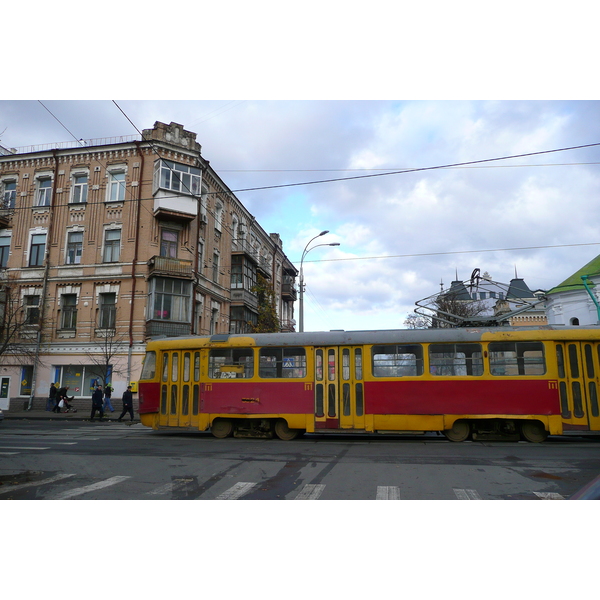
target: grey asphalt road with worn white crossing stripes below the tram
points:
(108, 461)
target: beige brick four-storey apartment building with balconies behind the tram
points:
(107, 243)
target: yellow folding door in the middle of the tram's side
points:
(339, 397)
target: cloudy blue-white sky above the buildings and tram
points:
(401, 234)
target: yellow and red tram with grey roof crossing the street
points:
(465, 382)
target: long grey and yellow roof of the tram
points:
(386, 336)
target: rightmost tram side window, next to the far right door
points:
(517, 358)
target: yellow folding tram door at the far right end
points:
(579, 378)
